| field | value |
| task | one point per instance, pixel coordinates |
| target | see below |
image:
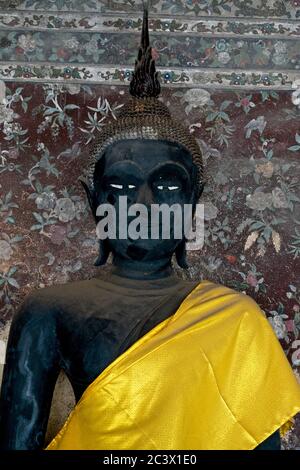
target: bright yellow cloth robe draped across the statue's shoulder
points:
(211, 376)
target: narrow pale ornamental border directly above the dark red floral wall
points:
(121, 75)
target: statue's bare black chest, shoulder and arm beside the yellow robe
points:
(80, 327)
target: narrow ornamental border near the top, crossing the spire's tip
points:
(65, 21)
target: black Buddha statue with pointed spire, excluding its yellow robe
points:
(82, 327)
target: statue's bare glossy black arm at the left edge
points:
(29, 376)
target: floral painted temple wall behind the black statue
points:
(229, 70)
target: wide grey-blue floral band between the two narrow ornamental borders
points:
(183, 51)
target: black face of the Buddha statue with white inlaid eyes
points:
(147, 172)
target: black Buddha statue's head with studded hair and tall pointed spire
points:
(149, 157)
